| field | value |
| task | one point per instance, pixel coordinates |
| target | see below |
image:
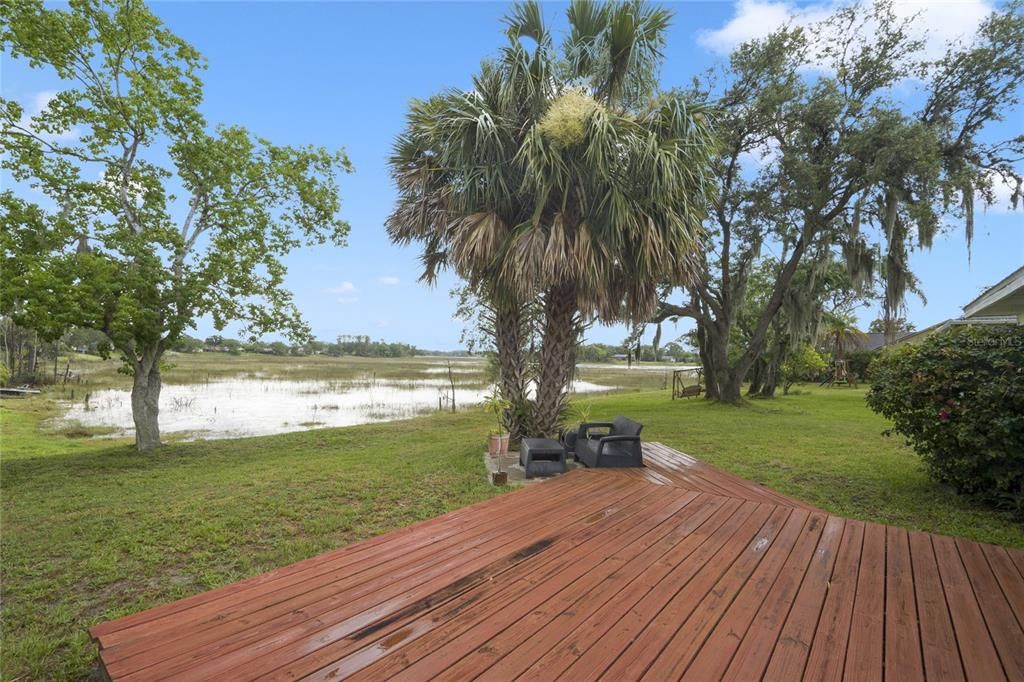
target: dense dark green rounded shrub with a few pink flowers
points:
(959, 400)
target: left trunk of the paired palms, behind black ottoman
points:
(510, 340)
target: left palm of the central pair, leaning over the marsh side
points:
(459, 191)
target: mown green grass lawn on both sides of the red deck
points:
(92, 530)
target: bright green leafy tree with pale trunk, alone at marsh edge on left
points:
(152, 221)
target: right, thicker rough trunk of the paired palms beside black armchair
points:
(562, 333)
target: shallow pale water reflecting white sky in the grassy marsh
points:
(247, 407)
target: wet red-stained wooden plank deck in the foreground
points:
(679, 571)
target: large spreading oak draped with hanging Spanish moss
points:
(819, 155)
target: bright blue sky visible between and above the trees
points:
(343, 74)
